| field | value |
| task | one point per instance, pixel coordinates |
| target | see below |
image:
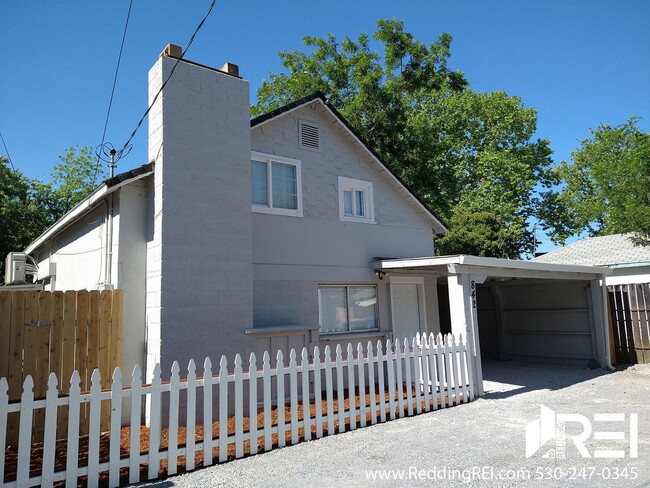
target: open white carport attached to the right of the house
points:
(512, 309)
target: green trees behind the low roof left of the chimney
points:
(29, 207)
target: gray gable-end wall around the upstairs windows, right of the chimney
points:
(293, 255)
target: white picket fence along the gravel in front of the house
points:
(403, 378)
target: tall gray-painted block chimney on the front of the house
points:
(199, 255)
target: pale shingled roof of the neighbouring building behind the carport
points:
(613, 250)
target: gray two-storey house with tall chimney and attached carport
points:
(288, 231)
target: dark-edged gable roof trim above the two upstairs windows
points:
(439, 225)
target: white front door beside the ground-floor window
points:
(407, 306)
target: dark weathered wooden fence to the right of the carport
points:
(629, 307)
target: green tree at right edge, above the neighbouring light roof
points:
(606, 190)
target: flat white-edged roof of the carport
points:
(491, 267)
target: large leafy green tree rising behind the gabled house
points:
(459, 150)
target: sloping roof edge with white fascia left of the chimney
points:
(106, 188)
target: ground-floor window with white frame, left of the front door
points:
(347, 308)
